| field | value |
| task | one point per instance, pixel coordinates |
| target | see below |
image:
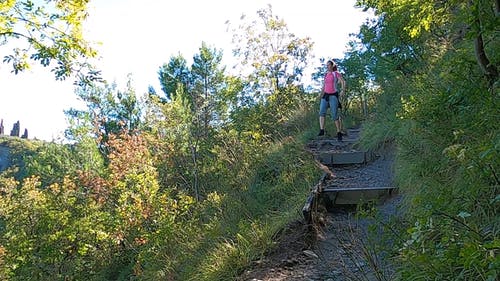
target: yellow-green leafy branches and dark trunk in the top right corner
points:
(452, 21)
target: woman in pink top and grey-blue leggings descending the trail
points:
(330, 97)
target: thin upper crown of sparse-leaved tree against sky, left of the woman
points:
(275, 57)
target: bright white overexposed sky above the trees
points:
(136, 37)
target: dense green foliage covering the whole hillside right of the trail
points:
(437, 99)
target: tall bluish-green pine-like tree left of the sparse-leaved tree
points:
(199, 99)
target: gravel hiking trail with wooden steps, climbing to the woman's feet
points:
(334, 243)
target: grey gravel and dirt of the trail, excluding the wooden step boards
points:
(340, 244)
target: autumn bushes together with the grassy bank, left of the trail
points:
(123, 224)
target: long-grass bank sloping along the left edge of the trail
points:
(265, 195)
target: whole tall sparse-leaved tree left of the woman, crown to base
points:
(271, 63)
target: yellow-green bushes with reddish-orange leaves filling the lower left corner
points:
(88, 226)
